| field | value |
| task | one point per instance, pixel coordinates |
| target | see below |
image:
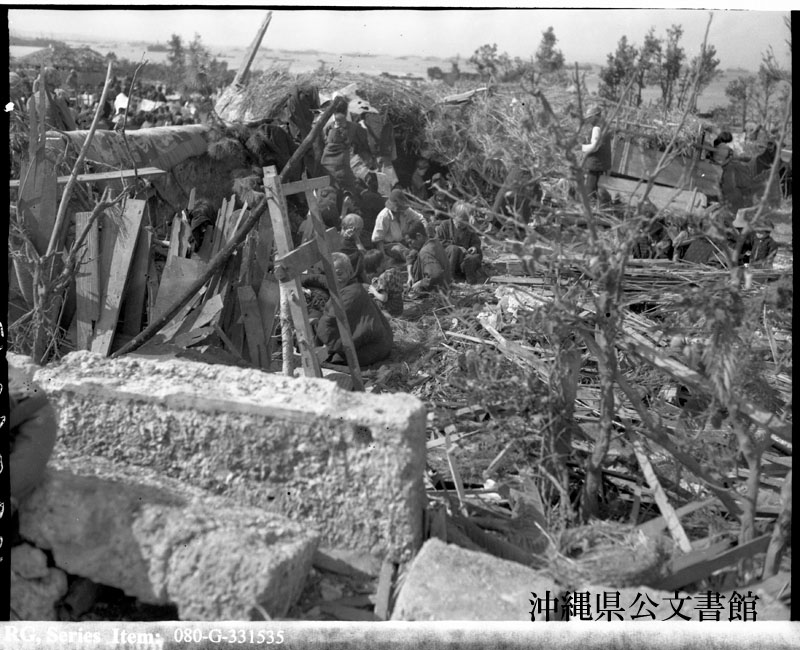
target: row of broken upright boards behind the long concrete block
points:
(236, 305)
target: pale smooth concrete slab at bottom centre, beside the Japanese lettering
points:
(449, 583)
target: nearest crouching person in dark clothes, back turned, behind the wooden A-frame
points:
(369, 328)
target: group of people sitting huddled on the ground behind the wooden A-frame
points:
(385, 256)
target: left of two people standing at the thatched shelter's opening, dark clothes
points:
(341, 139)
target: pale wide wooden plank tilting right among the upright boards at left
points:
(127, 236)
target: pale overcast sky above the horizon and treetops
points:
(739, 32)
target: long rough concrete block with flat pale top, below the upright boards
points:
(350, 464)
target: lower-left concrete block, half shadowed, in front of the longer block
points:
(164, 543)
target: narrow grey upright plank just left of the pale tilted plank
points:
(87, 283)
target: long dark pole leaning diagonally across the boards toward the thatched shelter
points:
(252, 219)
